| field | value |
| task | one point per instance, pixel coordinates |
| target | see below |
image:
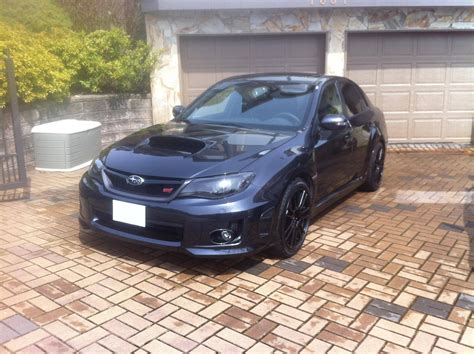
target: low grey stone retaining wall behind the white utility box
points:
(119, 115)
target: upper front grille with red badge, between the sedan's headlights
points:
(151, 187)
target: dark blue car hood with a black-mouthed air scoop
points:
(182, 150)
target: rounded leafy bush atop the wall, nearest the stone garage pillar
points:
(103, 61)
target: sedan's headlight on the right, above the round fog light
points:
(217, 187)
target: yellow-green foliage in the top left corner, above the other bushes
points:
(34, 15)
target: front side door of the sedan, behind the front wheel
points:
(332, 149)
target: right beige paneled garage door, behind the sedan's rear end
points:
(424, 82)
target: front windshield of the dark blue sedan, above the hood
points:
(271, 106)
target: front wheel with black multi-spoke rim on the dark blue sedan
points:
(293, 219)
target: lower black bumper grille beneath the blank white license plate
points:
(152, 230)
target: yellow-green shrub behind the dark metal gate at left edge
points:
(40, 75)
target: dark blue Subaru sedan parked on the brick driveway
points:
(245, 167)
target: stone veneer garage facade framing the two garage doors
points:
(164, 29)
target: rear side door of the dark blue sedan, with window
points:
(360, 116)
